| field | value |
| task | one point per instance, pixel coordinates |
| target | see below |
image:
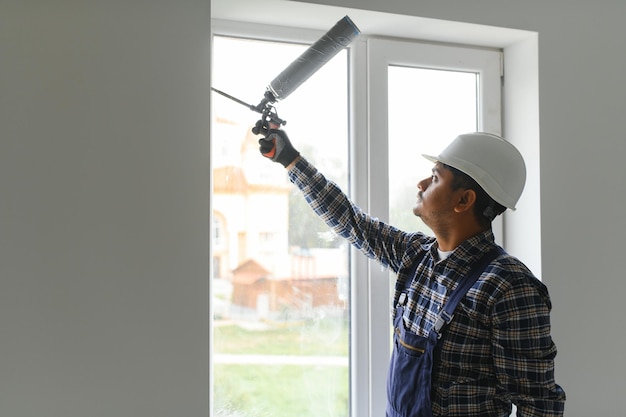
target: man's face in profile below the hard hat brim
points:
(435, 199)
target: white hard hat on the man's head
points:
(495, 164)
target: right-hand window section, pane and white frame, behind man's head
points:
(396, 70)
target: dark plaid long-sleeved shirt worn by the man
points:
(497, 350)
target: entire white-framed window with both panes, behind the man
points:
(303, 328)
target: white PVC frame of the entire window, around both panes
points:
(369, 59)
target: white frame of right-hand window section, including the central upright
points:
(371, 164)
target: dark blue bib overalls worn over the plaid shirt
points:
(409, 376)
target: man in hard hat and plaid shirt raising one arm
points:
(496, 350)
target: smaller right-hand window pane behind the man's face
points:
(427, 109)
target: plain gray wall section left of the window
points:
(104, 208)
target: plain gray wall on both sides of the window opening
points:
(104, 199)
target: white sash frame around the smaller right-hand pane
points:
(381, 53)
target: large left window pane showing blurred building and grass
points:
(279, 279)
